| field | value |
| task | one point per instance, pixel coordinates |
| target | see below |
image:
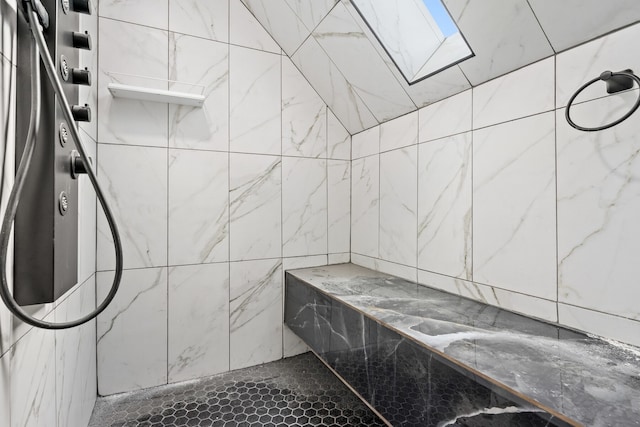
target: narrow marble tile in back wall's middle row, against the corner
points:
(339, 205)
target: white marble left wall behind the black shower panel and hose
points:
(47, 378)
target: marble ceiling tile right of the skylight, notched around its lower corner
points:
(503, 36)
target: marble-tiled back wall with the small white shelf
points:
(213, 203)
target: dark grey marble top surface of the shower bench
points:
(589, 380)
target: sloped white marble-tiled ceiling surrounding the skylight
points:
(344, 62)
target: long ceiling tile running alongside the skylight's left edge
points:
(350, 49)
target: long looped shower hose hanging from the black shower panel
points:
(39, 51)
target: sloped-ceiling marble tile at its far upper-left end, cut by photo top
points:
(280, 21)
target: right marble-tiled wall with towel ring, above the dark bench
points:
(492, 195)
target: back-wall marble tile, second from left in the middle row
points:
(198, 207)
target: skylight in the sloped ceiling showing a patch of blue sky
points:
(419, 35)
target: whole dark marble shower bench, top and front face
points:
(423, 357)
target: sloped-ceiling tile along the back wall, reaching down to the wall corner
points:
(332, 86)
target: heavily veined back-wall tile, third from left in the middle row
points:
(255, 188)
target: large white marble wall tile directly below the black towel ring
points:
(598, 185)
